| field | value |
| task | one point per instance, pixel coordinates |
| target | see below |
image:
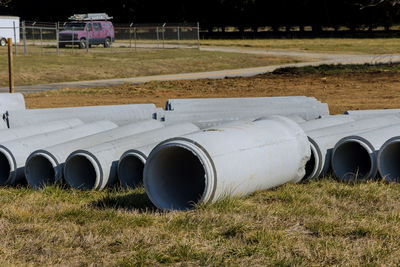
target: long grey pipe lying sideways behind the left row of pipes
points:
(119, 114)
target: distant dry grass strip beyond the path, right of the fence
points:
(337, 45)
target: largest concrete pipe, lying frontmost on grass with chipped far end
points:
(228, 160)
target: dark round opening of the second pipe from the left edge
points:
(39, 171)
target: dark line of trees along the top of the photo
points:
(240, 14)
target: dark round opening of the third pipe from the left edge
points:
(80, 172)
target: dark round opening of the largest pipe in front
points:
(175, 178)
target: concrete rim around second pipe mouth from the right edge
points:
(364, 143)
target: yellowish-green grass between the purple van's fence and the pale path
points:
(50, 68)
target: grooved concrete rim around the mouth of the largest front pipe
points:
(202, 155)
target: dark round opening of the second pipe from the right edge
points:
(351, 161)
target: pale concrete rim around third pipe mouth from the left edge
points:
(94, 162)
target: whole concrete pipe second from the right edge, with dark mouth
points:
(355, 157)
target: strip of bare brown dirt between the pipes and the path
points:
(342, 92)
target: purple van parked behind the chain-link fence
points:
(96, 31)
